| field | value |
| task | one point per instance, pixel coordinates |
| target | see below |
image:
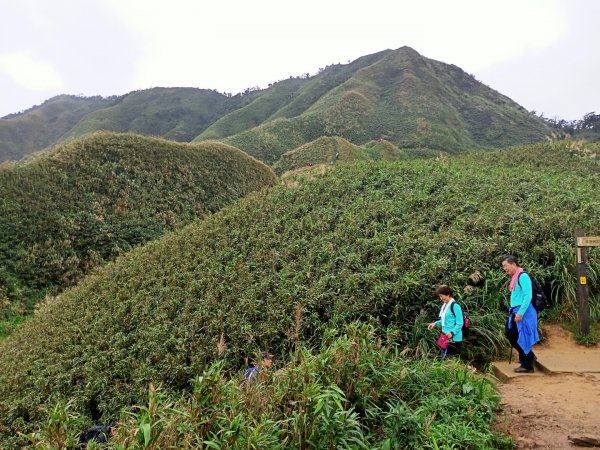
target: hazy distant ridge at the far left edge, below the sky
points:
(41, 126)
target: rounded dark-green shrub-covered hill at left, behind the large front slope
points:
(82, 204)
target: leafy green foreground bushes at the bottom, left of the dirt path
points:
(354, 392)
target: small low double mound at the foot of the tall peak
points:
(335, 150)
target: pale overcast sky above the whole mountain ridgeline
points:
(544, 54)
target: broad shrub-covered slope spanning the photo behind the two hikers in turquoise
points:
(362, 242)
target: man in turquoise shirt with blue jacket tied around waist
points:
(521, 325)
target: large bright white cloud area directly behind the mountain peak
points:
(233, 44)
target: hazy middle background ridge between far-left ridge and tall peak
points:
(177, 114)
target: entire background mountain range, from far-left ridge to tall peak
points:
(397, 95)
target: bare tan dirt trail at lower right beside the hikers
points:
(542, 412)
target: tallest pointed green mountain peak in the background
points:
(400, 96)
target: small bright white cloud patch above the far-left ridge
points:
(29, 71)
